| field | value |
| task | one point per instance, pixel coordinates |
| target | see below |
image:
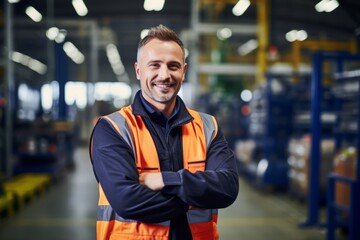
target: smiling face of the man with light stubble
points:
(161, 71)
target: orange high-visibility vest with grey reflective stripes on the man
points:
(196, 137)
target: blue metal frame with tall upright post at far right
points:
(315, 153)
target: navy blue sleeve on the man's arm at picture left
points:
(115, 169)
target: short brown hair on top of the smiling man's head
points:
(162, 33)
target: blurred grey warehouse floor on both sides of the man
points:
(67, 210)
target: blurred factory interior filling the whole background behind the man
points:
(280, 76)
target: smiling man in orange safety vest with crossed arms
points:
(162, 168)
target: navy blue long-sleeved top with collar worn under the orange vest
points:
(115, 169)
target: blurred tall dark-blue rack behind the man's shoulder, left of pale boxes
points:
(269, 128)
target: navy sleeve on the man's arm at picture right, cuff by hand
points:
(216, 187)
